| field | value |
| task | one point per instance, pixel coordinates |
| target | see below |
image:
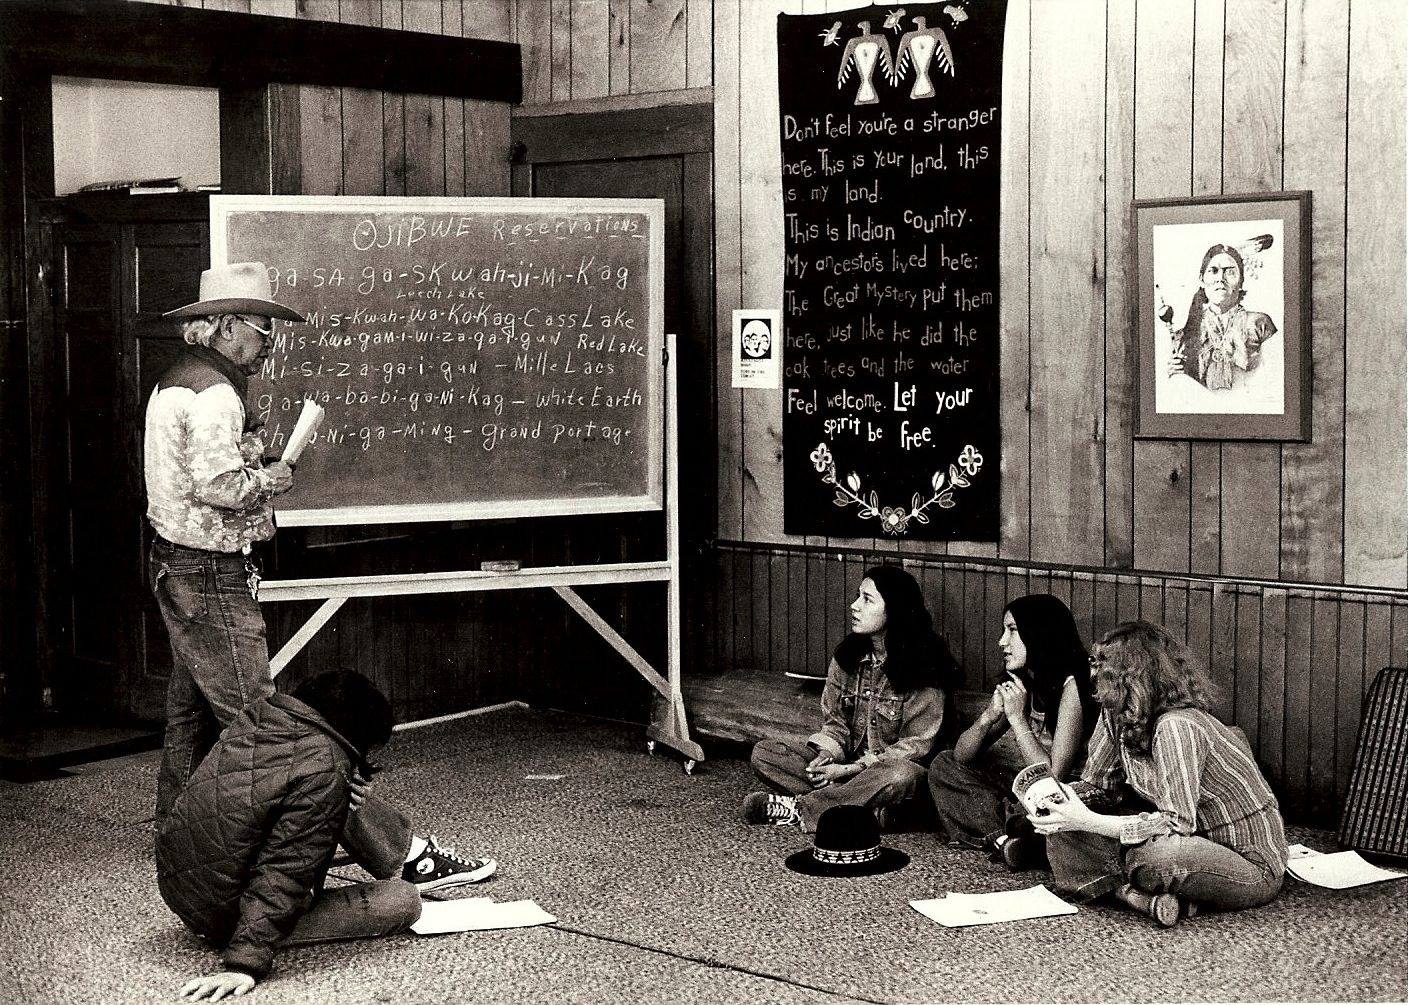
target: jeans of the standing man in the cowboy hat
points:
(220, 655)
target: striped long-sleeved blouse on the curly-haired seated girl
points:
(1203, 779)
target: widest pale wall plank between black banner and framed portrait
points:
(1068, 278)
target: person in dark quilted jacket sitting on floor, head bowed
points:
(244, 852)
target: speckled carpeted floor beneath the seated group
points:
(662, 896)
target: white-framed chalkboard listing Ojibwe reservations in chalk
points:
(478, 358)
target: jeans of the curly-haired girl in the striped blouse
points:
(1186, 865)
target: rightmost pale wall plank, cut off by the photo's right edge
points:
(1376, 423)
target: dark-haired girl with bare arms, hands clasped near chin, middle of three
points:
(1043, 713)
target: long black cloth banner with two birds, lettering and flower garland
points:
(891, 130)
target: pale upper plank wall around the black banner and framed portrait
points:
(1162, 98)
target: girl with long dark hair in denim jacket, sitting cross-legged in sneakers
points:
(888, 699)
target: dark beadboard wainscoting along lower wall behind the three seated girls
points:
(1292, 664)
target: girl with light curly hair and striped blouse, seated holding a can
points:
(1212, 834)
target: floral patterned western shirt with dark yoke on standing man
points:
(206, 486)
